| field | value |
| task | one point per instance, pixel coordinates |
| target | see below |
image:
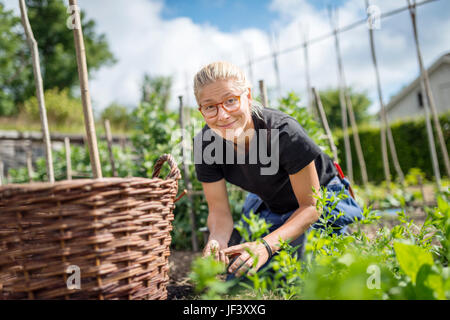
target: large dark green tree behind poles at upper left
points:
(48, 18)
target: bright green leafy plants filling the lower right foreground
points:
(402, 262)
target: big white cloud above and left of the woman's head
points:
(143, 42)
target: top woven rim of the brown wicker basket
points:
(40, 186)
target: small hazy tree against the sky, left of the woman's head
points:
(156, 91)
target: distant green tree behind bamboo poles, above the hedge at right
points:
(331, 105)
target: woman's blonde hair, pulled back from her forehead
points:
(223, 70)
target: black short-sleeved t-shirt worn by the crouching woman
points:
(279, 138)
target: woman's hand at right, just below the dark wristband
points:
(244, 262)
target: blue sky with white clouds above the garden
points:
(176, 38)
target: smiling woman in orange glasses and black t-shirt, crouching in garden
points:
(265, 152)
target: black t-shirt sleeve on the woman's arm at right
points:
(297, 149)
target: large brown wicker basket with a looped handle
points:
(116, 230)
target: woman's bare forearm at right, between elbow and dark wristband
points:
(294, 227)
